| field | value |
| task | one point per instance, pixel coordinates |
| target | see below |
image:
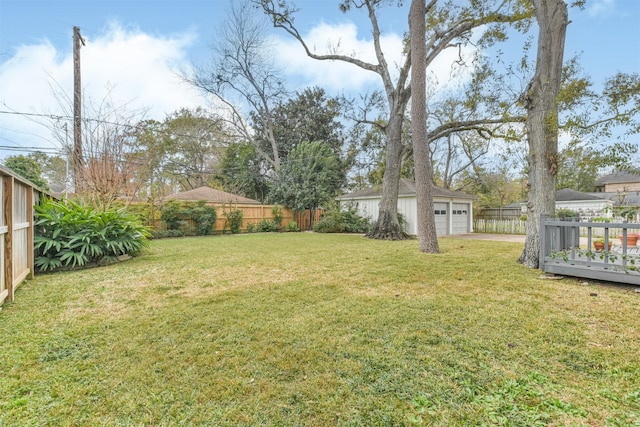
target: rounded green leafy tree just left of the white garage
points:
(310, 176)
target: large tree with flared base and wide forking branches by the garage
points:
(450, 26)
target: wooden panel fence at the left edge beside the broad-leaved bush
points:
(16, 232)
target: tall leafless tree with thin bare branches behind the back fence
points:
(244, 79)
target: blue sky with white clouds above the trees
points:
(135, 51)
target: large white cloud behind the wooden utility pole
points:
(139, 70)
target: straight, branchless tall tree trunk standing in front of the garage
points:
(423, 170)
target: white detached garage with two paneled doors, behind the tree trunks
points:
(453, 209)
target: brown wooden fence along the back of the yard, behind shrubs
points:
(251, 214)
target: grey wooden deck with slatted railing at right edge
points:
(563, 251)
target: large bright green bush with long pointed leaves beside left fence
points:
(70, 234)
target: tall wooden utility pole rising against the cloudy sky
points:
(77, 111)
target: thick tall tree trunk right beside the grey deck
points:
(540, 101)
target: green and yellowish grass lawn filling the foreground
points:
(318, 330)
